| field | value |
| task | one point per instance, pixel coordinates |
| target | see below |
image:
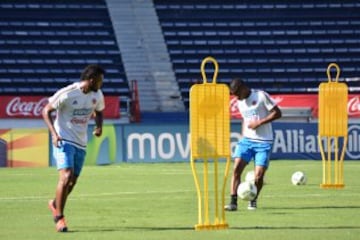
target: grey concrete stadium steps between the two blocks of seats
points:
(145, 55)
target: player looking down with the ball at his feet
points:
(258, 110)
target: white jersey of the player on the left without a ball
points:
(74, 109)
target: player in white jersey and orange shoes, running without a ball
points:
(74, 104)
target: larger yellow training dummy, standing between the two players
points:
(210, 142)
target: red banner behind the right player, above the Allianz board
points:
(303, 100)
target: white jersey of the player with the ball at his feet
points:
(255, 107)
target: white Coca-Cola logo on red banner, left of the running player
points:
(17, 107)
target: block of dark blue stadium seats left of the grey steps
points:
(51, 52)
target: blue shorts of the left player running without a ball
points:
(69, 156)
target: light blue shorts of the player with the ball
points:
(248, 150)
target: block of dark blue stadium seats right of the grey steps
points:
(285, 46)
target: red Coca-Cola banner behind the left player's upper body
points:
(31, 106)
